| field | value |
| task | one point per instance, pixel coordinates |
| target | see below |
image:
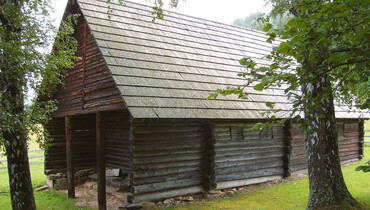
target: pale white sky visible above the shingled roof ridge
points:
(224, 11)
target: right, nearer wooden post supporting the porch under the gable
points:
(100, 147)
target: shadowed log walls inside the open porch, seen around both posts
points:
(115, 136)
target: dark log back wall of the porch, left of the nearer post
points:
(84, 145)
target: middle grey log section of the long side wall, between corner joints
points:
(241, 154)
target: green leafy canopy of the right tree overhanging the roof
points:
(327, 39)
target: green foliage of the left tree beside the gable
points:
(27, 62)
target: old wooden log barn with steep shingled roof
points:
(136, 101)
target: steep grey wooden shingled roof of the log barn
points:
(167, 68)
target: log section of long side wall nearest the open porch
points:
(169, 158)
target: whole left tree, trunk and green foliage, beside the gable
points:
(25, 34)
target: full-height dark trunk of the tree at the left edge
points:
(12, 81)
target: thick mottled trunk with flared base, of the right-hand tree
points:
(326, 183)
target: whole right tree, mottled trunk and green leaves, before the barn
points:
(330, 42)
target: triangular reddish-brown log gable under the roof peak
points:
(89, 86)
